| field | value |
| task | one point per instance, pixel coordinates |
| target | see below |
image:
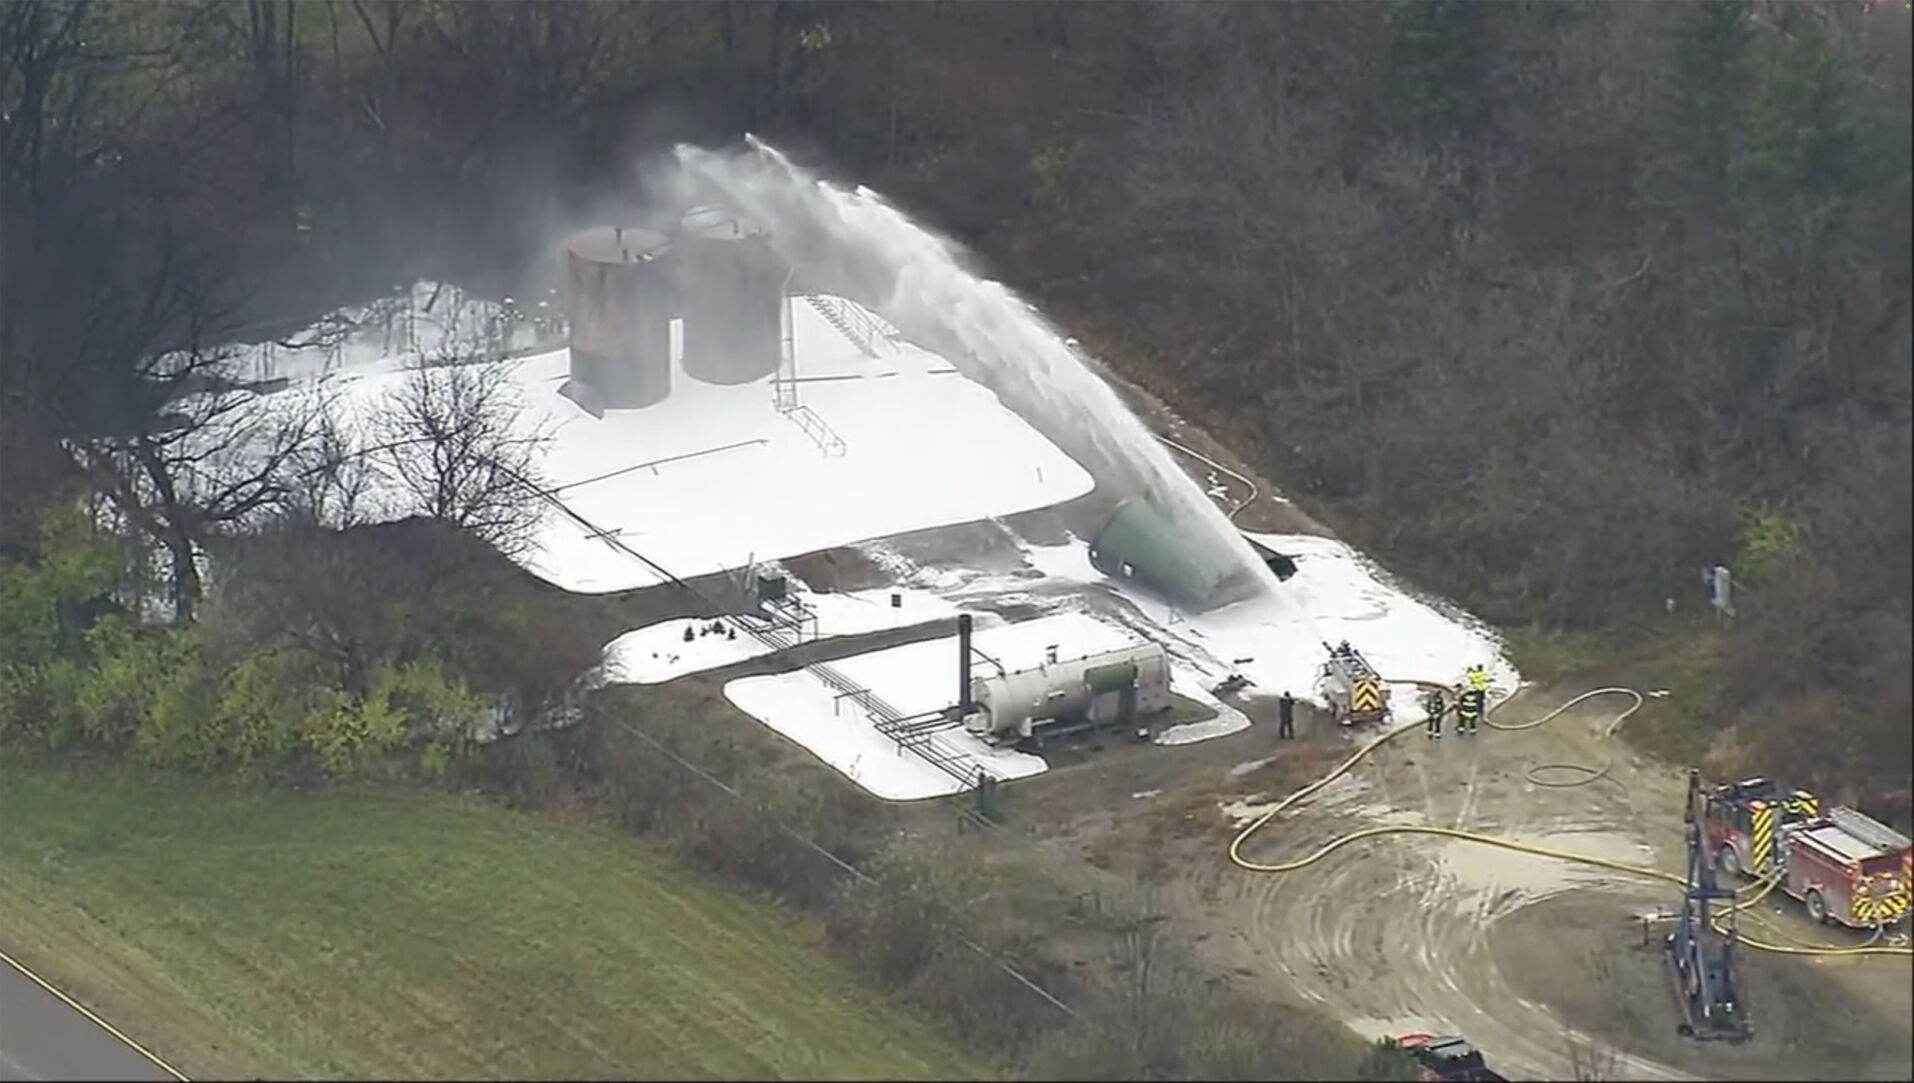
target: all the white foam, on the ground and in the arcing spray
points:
(715, 479)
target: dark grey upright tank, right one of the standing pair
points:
(732, 290)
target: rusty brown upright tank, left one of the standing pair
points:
(621, 311)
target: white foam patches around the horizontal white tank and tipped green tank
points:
(1337, 596)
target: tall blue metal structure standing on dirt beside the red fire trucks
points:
(1703, 960)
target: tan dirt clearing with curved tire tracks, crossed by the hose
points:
(1538, 961)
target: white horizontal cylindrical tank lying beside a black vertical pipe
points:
(1013, 703)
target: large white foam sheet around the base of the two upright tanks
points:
(715, 477)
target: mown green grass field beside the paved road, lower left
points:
(411, 935)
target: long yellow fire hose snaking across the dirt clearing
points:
(1591, 774)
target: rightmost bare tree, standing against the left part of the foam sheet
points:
(456, 451)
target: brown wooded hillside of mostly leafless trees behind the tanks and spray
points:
(1549, 305)
